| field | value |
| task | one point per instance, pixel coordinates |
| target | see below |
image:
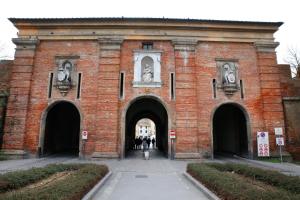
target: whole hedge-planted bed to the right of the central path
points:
(235, 181)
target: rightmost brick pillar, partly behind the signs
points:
(270, 90)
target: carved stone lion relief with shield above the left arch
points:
(65, 73)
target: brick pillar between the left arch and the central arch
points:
(108, 133)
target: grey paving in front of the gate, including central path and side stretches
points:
(137, 178)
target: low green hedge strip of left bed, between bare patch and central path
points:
(74, 186)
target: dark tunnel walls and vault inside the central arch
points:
(151, 109)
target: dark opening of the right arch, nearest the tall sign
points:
(230, 131)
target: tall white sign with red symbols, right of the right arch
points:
(263, 148)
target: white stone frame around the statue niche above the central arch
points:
(138, 57)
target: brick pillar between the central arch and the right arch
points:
(186, 100)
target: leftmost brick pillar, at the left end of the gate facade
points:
(18, 101)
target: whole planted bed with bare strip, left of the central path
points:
(56, 181)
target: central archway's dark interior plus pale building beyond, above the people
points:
(147, 117)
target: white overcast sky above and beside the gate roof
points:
(286, 11)
